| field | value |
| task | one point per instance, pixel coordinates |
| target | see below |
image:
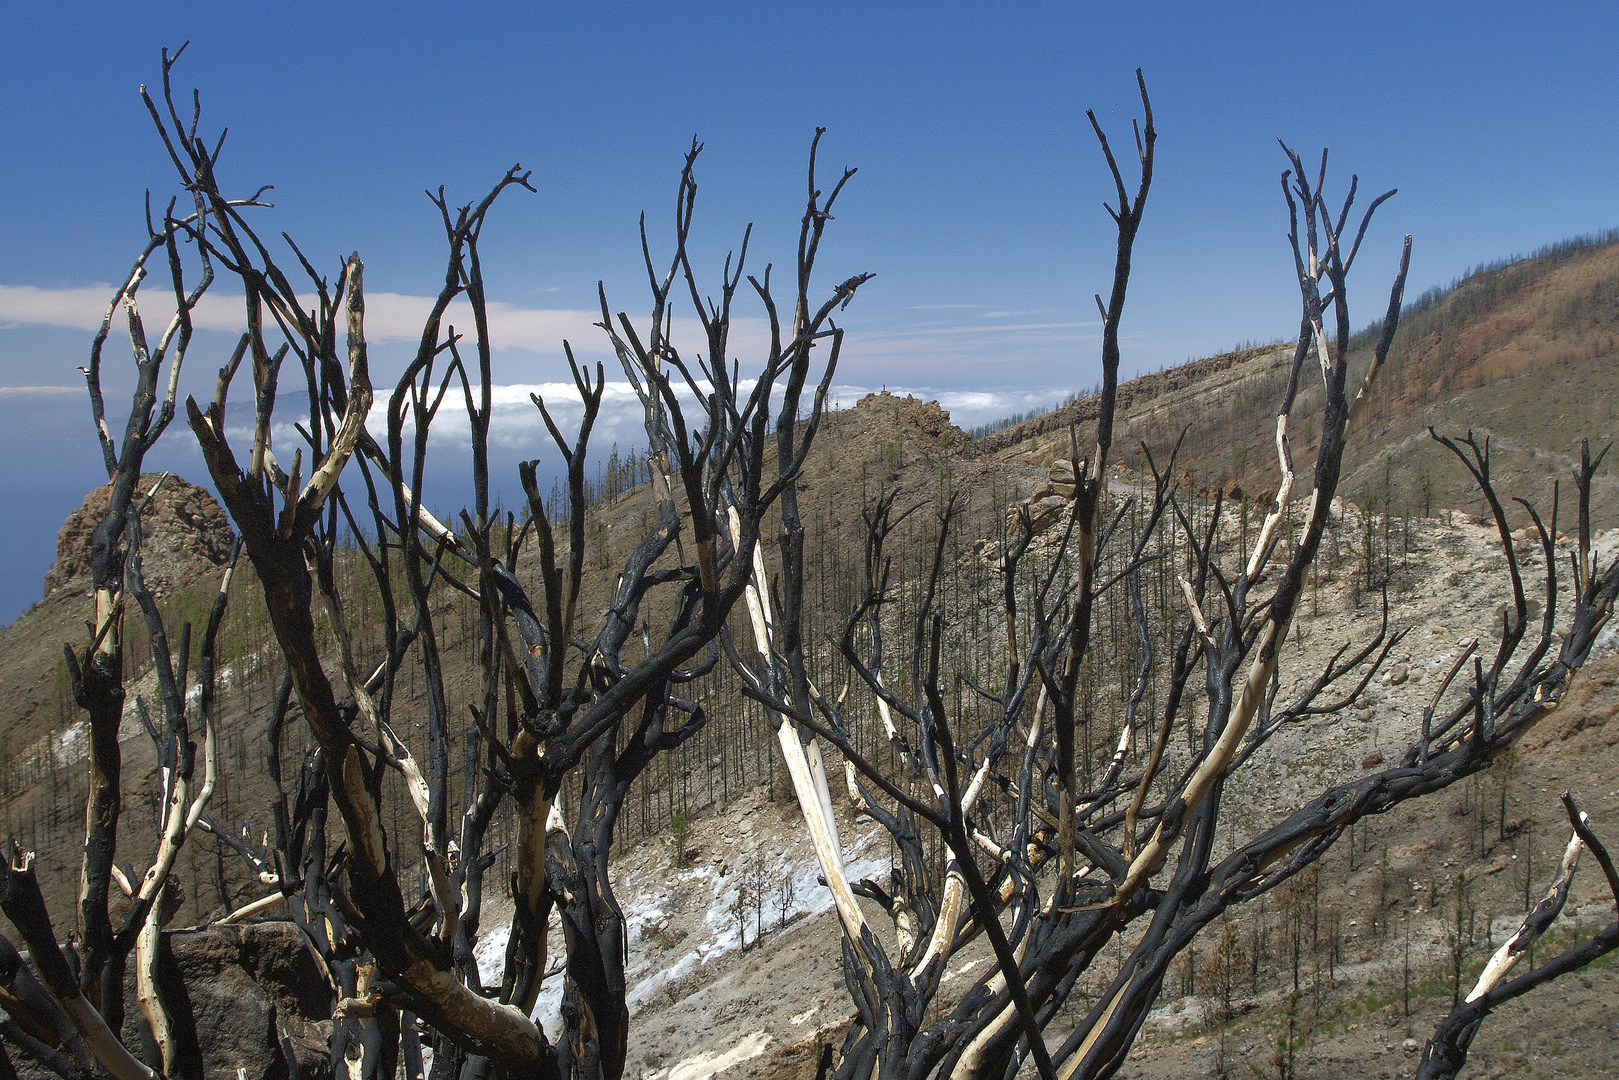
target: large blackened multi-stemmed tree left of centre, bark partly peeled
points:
(571, 699)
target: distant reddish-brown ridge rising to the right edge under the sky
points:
(1524, 354)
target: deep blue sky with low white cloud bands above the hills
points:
(979, 198)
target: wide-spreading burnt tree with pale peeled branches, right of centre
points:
(1053, 874)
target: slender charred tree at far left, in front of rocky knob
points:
(70, 1016)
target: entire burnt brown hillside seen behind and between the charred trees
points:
(1523, 352)
